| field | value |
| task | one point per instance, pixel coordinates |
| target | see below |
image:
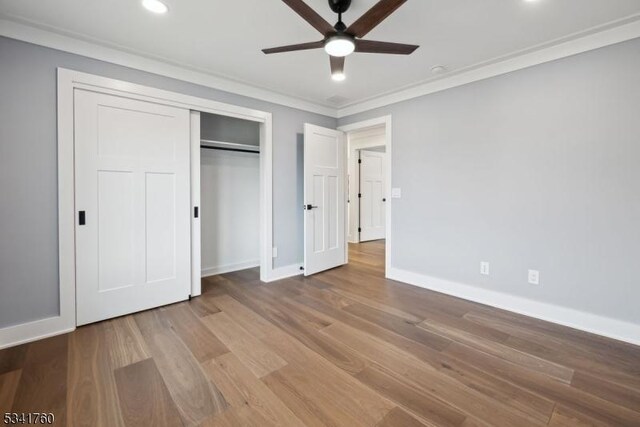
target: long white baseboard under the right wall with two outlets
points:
(588, 322)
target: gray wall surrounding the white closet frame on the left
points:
(28, 174)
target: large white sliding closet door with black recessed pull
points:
(133, 205)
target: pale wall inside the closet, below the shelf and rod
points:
(230, 216)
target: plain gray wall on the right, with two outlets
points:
(536, 169)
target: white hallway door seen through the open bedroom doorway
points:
(373, 199)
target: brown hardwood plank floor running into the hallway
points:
(343, 348)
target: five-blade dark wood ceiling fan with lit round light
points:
(339, 40)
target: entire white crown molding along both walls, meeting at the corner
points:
(603, 35)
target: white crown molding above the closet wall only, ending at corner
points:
(54, 39)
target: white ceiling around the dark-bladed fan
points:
(224, 38)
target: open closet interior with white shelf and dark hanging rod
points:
(229, 194)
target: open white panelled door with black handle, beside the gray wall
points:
(325, 199)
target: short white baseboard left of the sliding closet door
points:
(33, 331)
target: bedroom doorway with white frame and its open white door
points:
(333, 191)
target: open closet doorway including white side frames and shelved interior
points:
(231, 193)
